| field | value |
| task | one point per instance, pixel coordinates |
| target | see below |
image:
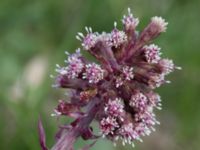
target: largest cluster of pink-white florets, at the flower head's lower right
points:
(117, 125)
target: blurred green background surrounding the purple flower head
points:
(33, 37)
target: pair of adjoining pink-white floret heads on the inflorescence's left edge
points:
(78, 69)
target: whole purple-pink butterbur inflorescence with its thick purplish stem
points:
(118, 91)
